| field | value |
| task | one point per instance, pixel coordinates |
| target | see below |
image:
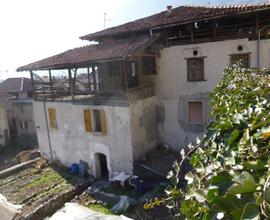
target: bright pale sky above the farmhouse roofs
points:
(35, 29)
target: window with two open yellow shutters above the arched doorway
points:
(98, 124)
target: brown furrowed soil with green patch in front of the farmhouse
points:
(33, 186)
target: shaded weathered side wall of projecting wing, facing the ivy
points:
(144, 129)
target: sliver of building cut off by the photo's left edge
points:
(4, 128)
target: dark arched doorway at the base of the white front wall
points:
(101, 166)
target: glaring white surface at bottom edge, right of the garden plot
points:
(74, 211)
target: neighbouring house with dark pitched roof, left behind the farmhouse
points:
(19, 109)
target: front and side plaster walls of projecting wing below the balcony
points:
(122, 143)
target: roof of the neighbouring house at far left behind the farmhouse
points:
(11, 85)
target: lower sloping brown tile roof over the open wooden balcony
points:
(114, 49)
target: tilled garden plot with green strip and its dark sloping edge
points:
(41, 191)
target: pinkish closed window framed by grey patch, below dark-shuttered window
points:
(195, 112)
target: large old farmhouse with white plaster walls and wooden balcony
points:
(145, 83)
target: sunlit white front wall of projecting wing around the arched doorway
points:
(70, 142)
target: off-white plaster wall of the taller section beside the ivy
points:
(172, 85)
